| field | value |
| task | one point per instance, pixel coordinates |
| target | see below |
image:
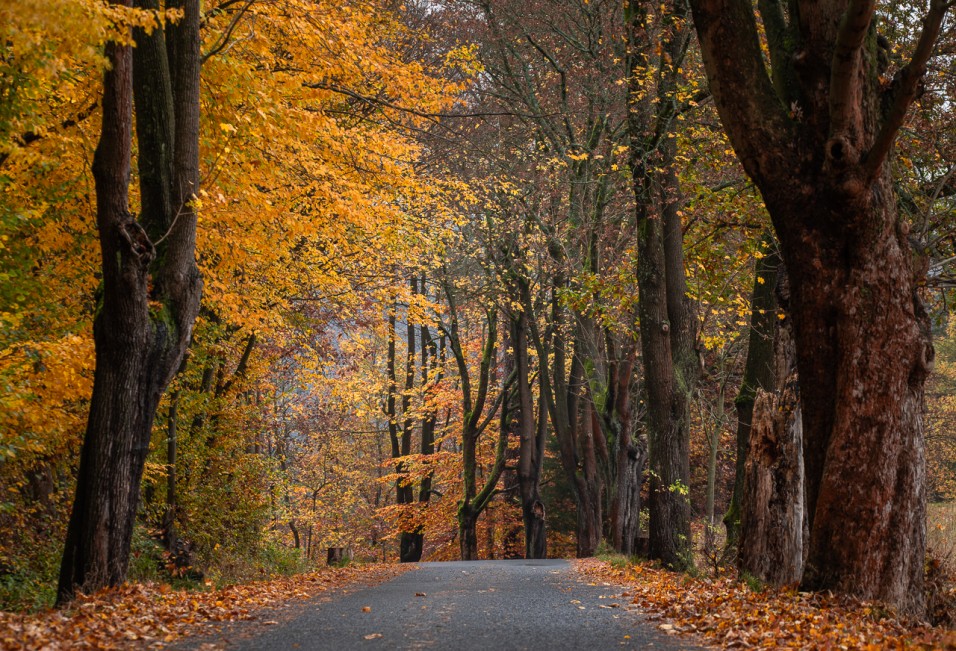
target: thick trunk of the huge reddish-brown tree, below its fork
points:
(863, 352)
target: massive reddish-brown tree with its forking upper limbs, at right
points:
(815, 129)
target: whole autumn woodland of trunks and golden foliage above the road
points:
(288, 283)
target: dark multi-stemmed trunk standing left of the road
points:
(150, 295)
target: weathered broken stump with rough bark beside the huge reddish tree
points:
(774, 522)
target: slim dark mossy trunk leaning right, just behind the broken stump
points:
(758, 374)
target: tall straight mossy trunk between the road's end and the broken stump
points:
(666, 324)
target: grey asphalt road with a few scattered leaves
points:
(479, 605)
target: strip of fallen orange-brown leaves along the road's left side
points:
(151, 615)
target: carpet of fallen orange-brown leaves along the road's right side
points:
(728, 614)
